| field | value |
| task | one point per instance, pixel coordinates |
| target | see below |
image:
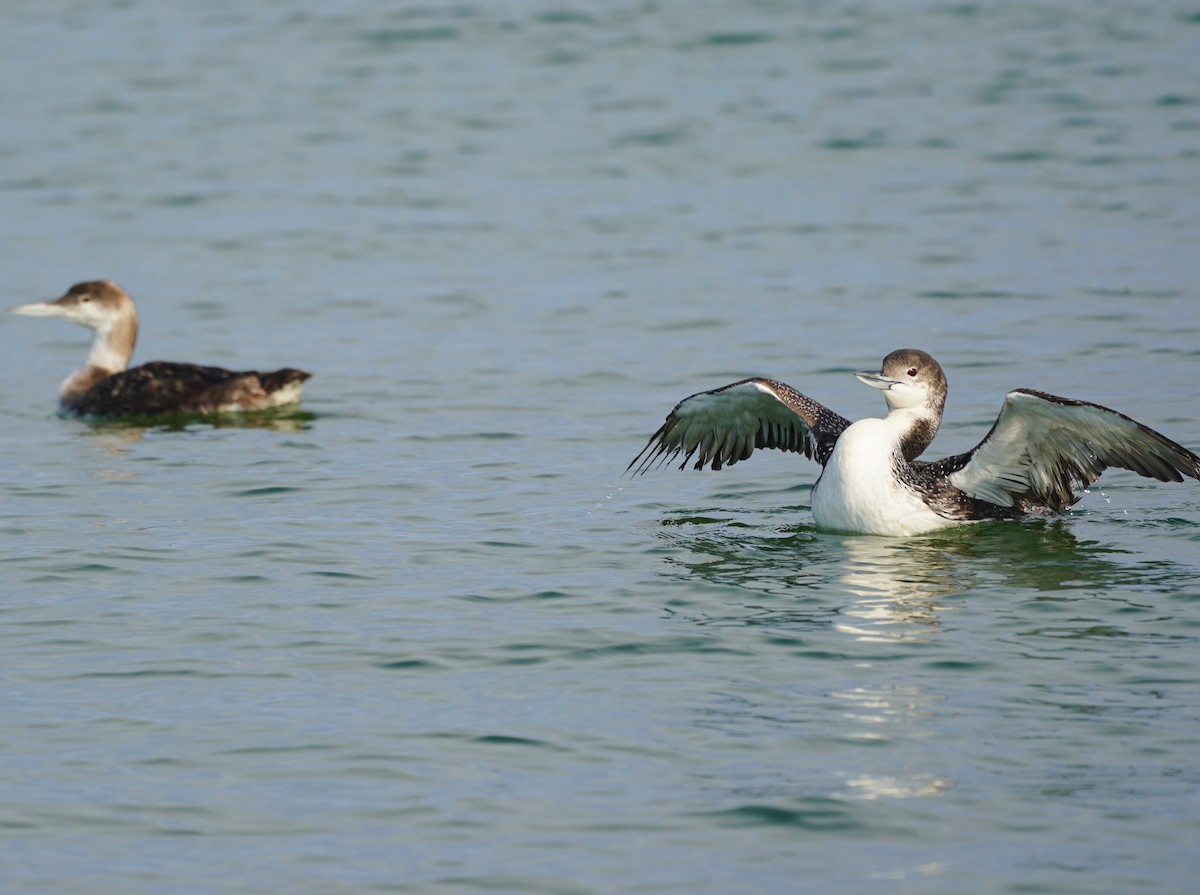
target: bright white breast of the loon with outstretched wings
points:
(860, 492)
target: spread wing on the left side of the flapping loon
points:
(725, 425)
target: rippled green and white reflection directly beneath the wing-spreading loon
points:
(878, 588)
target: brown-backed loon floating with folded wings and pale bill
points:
(104, 388)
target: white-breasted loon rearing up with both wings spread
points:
(1040, 456)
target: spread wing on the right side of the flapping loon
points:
(1043, 452)
